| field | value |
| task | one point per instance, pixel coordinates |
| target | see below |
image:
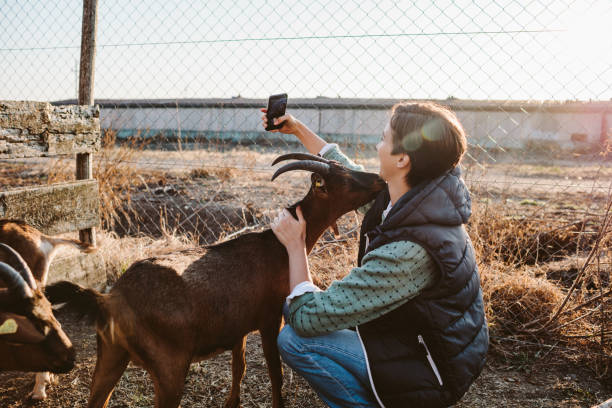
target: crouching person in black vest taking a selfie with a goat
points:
(406, 327)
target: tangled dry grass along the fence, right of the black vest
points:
(533, 288)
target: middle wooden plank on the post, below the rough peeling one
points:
(56, 208)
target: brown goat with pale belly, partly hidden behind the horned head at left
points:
(37, 250)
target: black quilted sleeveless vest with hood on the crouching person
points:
(427, 352)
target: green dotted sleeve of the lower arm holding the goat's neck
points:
(389, 276)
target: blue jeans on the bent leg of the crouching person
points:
(333, 364)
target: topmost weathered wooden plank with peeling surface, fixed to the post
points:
(34, 129)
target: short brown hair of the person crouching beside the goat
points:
(431, 135)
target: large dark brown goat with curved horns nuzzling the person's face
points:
(167, 312)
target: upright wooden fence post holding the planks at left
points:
(86, 88)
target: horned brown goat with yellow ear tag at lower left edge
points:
(32, 339)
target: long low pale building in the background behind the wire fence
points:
(491, 125)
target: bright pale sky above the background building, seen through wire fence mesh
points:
(503, 49)
